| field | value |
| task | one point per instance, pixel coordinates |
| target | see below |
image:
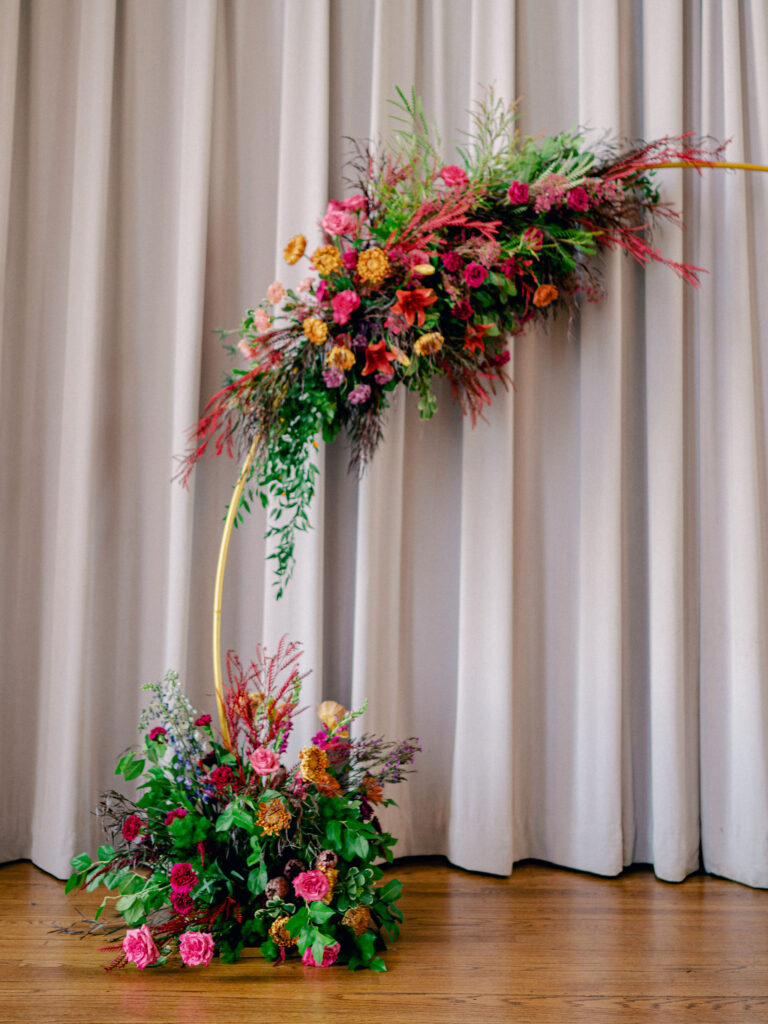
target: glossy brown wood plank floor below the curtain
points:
(546, 945)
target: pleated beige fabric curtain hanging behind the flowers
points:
(568, 605)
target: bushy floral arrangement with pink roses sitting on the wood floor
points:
(228, 847)
